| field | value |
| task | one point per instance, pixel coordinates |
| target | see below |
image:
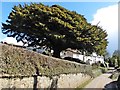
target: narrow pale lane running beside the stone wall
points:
(100, 81)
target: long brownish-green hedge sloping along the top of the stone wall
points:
(20, 61)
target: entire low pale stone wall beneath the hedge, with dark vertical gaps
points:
(61, 81)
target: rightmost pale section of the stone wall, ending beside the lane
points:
(72, 80)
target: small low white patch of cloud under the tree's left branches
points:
(11, 40)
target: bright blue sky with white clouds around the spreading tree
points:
(104, 12)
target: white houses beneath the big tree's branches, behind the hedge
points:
(93, 58)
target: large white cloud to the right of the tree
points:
(108, 18)
